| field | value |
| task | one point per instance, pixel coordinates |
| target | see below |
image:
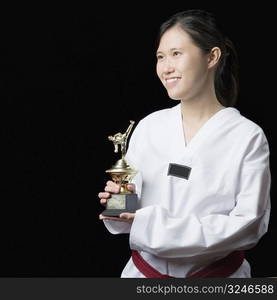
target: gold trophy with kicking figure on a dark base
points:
(122, 174)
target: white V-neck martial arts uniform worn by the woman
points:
(183, 225)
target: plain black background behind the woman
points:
(69, 78)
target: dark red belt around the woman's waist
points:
(221, 268)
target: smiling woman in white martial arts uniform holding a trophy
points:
(204, 181)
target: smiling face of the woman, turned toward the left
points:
(181, 66)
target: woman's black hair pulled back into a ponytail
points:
(205, 33)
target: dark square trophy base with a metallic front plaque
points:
(120, 203)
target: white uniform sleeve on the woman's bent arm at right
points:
(155, 231)
